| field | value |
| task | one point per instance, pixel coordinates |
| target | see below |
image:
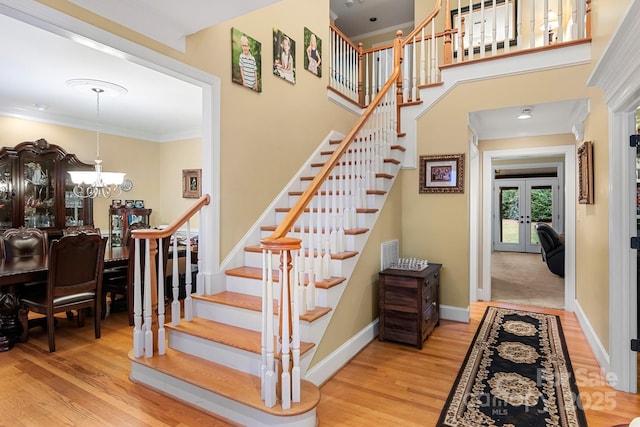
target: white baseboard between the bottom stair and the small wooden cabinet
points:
(323, 371)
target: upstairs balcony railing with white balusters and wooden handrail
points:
(465, 30)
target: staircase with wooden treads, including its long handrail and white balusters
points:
(216, 357)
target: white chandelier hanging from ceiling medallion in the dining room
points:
(96, 183)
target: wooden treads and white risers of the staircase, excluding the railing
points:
(214, 361)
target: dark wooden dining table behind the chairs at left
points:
(33, 269)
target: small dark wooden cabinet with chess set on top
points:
(409, 304)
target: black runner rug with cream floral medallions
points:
(516, 373)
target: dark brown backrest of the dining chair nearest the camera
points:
(76, 264)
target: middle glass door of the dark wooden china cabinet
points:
(39, 193)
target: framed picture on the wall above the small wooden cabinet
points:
(442, 173)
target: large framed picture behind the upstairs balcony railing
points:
(474, 21)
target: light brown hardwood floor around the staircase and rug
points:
(85, 382)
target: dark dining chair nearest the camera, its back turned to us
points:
(75, 266)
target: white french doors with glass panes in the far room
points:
(519, 204)
